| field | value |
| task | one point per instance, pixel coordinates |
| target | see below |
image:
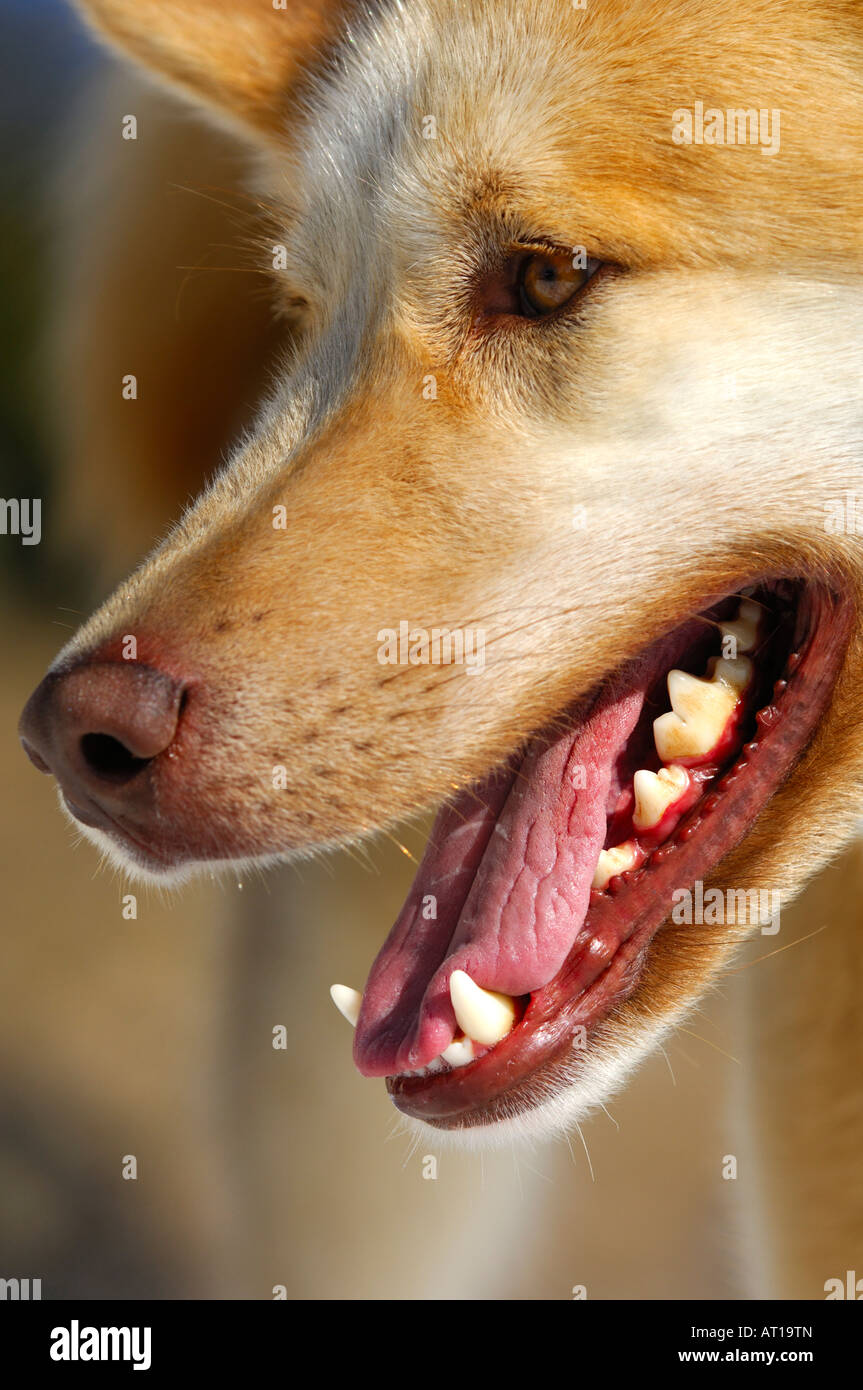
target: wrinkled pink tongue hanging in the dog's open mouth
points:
(502, 890)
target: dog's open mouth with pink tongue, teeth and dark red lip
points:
(541, 890)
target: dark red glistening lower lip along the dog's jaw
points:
(608, 958)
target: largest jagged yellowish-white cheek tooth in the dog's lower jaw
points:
(701, 708)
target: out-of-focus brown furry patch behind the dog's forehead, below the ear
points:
(161, 308)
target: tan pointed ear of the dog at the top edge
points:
(240, 58)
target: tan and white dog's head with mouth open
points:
(572, 404)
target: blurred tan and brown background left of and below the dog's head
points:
(154, 1038)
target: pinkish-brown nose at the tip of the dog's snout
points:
(98, 728)
